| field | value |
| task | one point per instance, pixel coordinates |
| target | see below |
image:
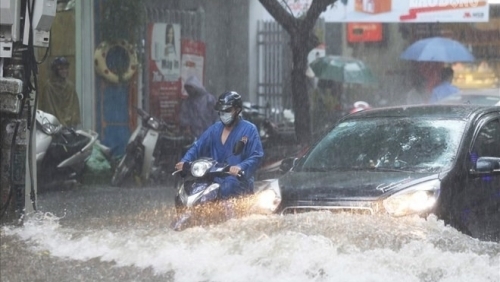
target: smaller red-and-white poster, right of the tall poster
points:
(193, 61)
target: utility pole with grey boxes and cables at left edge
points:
(24, 24)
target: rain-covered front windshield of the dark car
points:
(422, 145)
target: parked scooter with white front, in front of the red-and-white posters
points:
(151, 150)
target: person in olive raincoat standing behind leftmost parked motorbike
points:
(59, 96)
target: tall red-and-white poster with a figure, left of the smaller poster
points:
(164, 71)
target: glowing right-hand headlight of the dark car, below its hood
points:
(417, 199)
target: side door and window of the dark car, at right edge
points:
(482, 210)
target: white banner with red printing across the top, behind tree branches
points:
(400, 11)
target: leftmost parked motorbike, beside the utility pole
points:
(61, 152)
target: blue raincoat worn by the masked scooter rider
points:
(210, 145)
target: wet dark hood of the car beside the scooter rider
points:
(357, 185)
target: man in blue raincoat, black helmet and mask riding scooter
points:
(218, 140)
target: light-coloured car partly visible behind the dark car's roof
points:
(486, 97)
